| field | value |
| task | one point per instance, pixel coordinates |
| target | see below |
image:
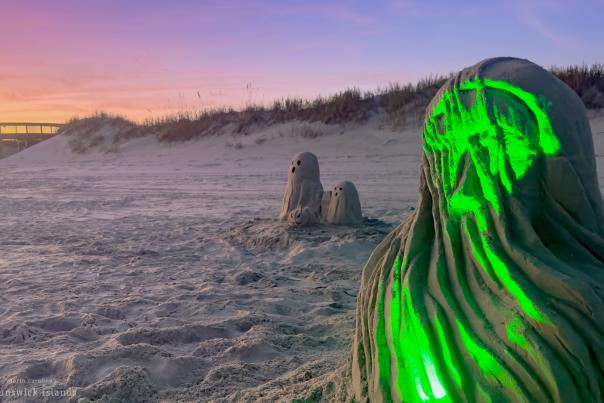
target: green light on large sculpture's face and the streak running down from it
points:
(493, 140)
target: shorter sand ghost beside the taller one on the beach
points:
(344, 206)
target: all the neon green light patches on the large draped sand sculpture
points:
(500, 146)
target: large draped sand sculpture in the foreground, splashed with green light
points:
(493, 290)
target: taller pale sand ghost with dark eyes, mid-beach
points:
(302, 197)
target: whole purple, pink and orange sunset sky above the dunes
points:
(67, 58)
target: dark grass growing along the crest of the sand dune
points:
(401, 104)
